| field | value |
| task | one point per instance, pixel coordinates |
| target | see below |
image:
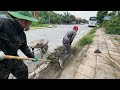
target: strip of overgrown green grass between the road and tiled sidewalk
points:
(87, 39)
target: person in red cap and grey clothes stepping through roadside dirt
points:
(67, 41)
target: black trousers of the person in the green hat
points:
(15, 67)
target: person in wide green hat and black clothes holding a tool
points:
(13, 38)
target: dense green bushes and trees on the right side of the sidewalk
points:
(112, 25)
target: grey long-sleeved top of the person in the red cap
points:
(68, 38)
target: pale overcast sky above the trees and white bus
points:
(82, 14)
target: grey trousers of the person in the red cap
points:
(67, 52)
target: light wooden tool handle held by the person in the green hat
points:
(22, 58)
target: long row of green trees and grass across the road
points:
(50, 18)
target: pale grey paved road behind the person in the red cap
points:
(54, 36)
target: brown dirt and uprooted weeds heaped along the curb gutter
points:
(53, 68)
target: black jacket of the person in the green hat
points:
(12, 38)
